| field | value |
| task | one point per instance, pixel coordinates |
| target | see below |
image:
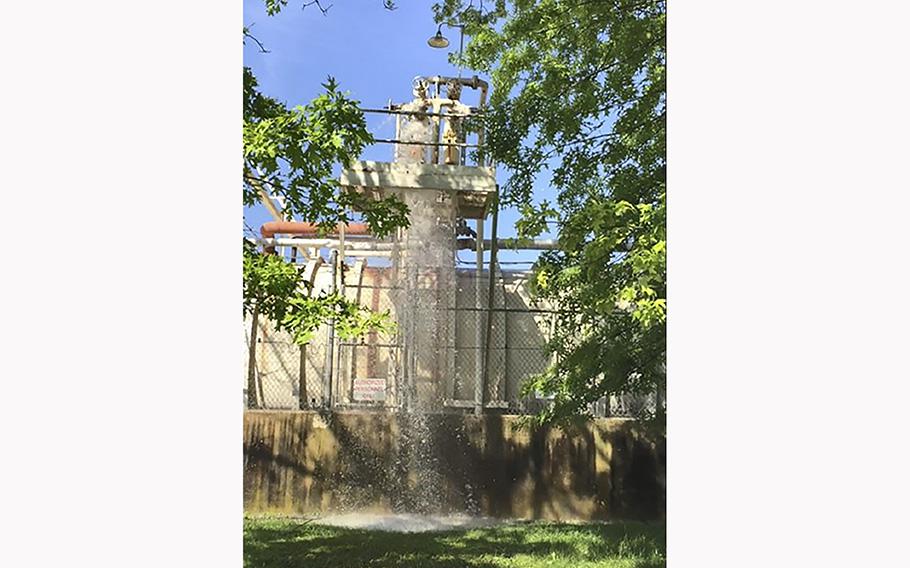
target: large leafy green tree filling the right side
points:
(579, 89)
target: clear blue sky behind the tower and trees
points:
(373, 53)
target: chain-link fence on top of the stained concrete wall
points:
(475, 355)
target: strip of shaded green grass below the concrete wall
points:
(274, 542)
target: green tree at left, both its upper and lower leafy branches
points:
(291, 152)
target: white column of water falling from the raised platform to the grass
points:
(424, 279)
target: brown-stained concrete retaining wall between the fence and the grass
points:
(307, 463)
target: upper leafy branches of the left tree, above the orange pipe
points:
(290, 152)
